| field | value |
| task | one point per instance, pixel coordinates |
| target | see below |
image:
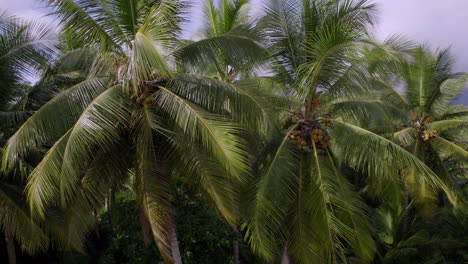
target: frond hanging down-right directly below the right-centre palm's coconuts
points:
(340, 220)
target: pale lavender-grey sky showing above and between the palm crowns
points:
(435, 23)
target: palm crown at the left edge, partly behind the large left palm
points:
(26, 47)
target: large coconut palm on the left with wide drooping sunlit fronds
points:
(134, 114)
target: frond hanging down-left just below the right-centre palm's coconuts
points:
(268, 198)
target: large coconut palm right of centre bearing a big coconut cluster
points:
(301, 199)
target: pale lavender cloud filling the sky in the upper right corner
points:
(435, 23)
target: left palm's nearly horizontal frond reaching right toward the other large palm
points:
(250, 101)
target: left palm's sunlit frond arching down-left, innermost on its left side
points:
(98, 128)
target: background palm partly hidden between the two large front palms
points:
(227, 47)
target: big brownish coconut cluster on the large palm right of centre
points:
(304, 136)
